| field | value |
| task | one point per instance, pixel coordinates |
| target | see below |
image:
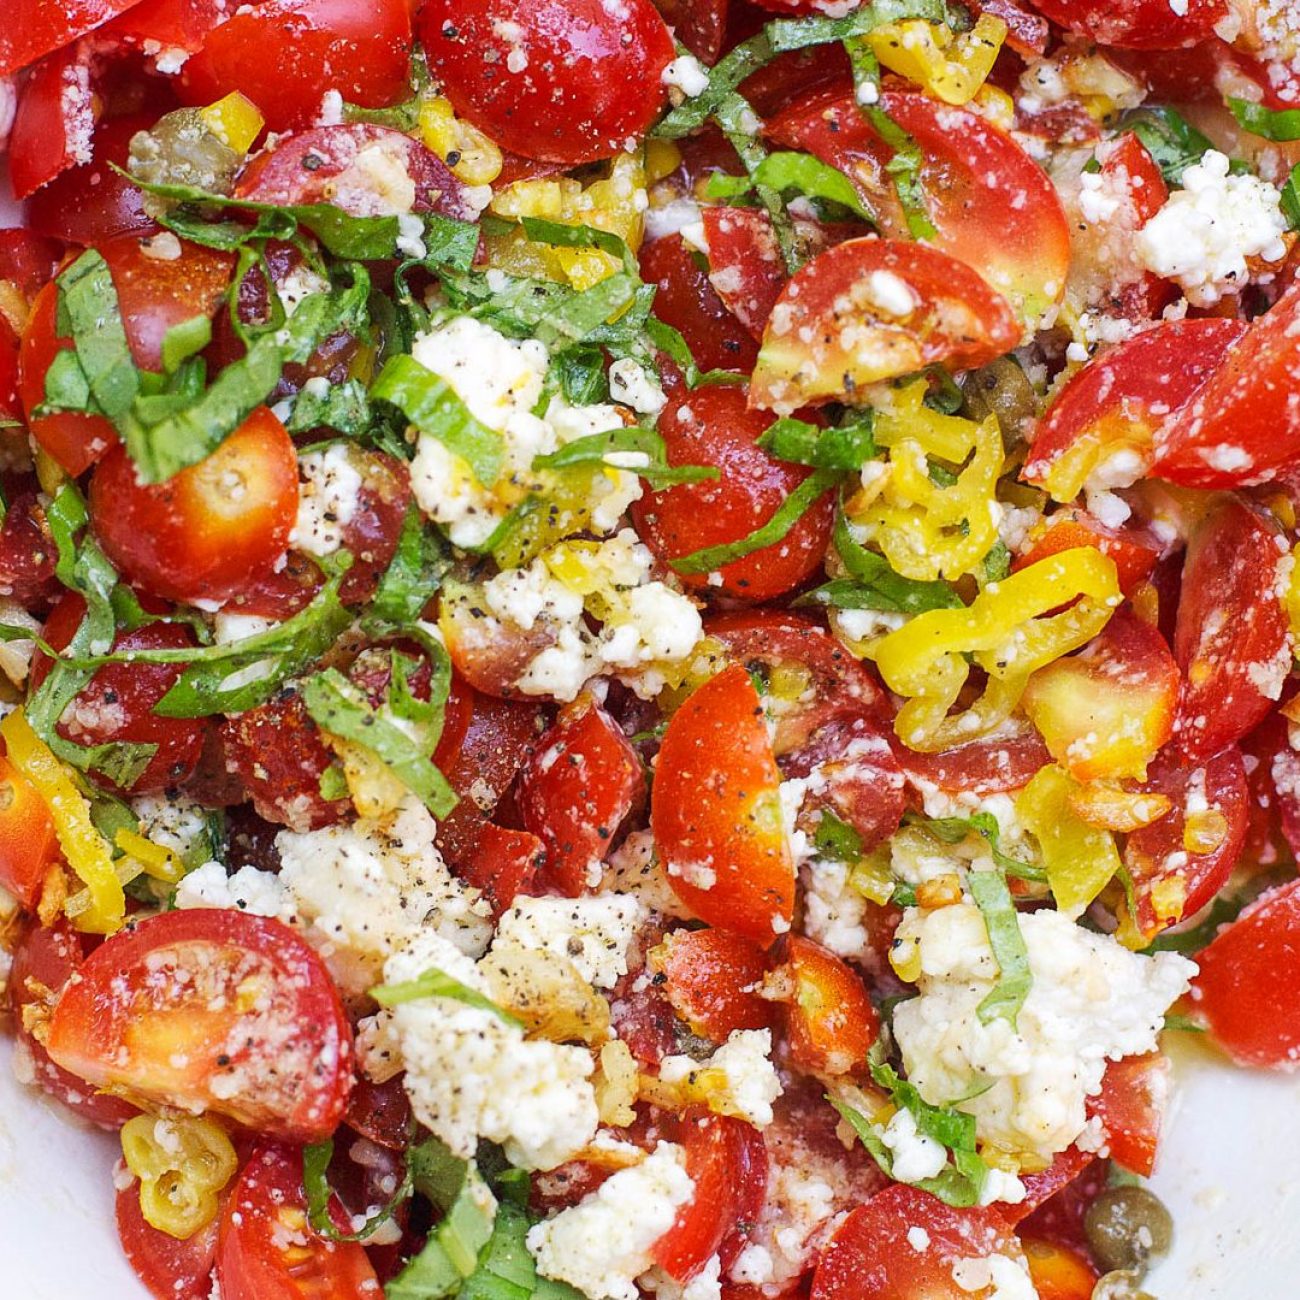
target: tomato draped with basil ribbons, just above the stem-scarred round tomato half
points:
(155, 292)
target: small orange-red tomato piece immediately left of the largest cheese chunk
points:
(827, 1016)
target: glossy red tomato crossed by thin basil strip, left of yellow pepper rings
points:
(714, 427)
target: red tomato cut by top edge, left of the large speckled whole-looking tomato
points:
(311, 47)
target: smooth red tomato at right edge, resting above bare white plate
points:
(1247, 982)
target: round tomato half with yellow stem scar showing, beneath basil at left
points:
(206, 532)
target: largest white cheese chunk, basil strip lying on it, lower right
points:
(1091, 1002)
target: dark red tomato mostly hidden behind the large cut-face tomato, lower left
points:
(45, 959)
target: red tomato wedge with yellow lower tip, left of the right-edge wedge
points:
(1107, 417)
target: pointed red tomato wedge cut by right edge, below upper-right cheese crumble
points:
(1243, 424)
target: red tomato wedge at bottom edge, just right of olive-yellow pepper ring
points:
(266, 1250)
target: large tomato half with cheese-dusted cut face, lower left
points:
(211, 1009)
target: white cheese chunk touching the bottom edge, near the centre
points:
(603, 1245)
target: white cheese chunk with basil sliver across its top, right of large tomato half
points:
(471, 1076)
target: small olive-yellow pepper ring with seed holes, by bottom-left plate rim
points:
(183, 1164)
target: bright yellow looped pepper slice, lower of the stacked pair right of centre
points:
(1008, 631)
